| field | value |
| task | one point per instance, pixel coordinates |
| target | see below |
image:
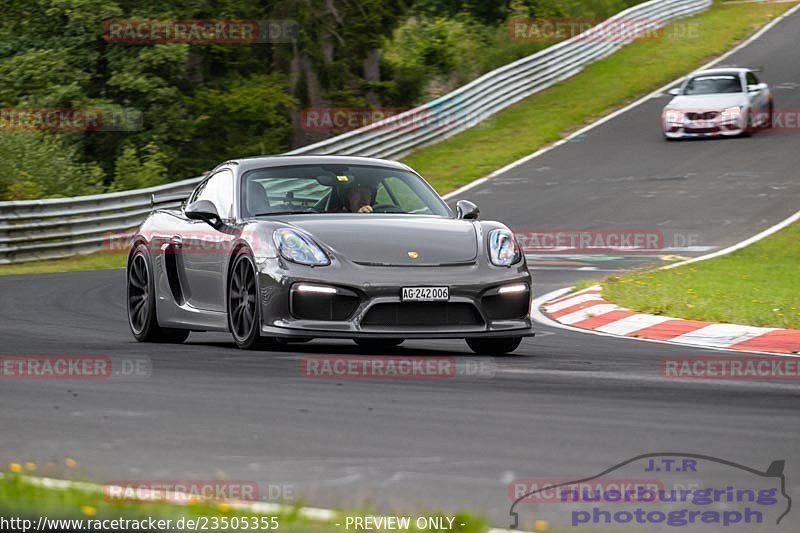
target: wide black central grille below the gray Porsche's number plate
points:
(422, 314)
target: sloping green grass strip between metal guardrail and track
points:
(602, 87)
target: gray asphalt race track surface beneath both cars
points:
(564, 406)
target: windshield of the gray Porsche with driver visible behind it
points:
(332, 188)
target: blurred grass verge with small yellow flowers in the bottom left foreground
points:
(24, 497)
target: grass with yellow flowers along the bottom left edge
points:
(21, 496)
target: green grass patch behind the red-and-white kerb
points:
(756, 286)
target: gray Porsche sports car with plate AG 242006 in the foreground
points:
(291, 248)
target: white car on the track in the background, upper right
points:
(718, 102)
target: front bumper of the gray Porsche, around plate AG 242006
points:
(367, 301)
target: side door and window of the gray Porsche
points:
(205, 249)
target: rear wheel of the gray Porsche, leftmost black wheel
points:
(141, 301)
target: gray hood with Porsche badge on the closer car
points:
(391, 240)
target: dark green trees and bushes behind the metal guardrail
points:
(203, 102)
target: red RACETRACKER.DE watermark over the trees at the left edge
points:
(69, 119)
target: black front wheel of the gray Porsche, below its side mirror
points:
(244, 311)
